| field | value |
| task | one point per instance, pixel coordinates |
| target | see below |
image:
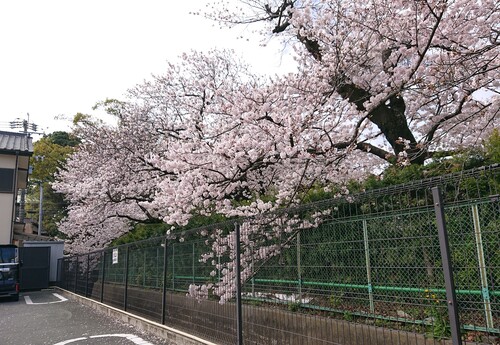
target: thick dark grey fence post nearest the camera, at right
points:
(447, 267)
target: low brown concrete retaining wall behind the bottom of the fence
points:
(262, 325)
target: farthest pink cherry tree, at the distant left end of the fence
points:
(105, 182)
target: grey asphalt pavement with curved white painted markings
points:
(48, 318)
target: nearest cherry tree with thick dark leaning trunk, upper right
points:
(411, 71)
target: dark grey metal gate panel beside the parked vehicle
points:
(35, 267)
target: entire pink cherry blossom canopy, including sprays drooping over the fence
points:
(377, 83)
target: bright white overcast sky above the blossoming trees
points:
(60, 57)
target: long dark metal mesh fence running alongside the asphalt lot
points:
(367, 269)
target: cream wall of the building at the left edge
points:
(7, 202)
